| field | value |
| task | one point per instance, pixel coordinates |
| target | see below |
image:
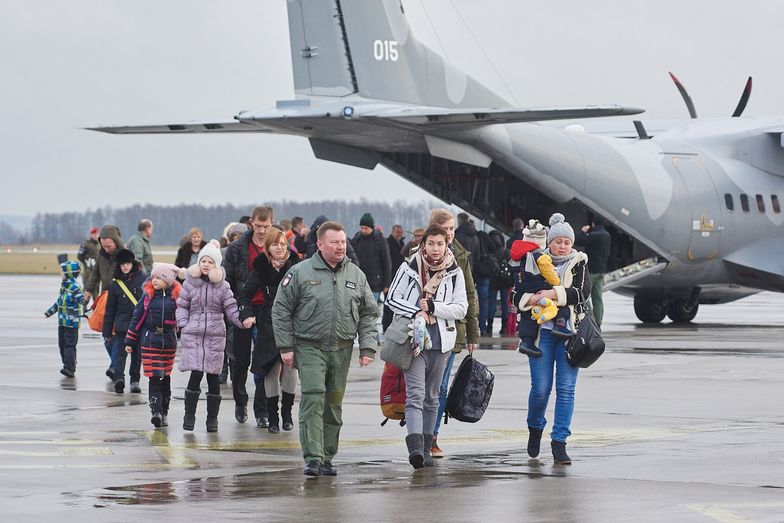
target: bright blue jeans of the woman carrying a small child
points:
(553, 355)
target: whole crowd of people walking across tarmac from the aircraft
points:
(286, 303)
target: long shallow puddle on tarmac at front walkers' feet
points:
(359, 478)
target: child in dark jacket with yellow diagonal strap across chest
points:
(125, 292)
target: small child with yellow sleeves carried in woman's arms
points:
(535, 272)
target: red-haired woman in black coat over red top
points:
(268, 271)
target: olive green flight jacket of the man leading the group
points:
(325, 308)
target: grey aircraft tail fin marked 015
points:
(365, 48)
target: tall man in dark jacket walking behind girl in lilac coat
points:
(238, 264)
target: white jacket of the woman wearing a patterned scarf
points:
(449, 303)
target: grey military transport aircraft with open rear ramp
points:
(695, 208)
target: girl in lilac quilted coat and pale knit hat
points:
(206, 297)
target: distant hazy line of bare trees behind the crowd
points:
(172, 222)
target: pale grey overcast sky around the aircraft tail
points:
(68, 65)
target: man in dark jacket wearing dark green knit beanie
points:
(373, 253)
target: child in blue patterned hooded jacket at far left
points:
(69, 309)
